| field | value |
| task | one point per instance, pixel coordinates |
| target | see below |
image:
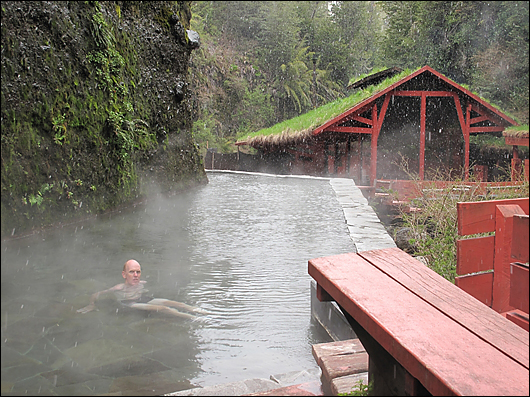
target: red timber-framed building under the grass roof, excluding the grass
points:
(422, 123)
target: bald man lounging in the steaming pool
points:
(131, 294)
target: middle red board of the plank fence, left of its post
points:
(474, 255)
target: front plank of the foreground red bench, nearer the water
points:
(444, 356)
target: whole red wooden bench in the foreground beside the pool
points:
(421, 332)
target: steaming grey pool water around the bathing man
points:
(237, 247)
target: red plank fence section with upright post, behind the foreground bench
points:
(484, 264)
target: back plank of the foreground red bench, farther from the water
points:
(452, 301)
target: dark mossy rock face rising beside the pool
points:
(96, 110)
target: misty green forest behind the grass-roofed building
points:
(264, 62)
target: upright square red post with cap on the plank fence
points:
(503, 248)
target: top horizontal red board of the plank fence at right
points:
(479, 216)
